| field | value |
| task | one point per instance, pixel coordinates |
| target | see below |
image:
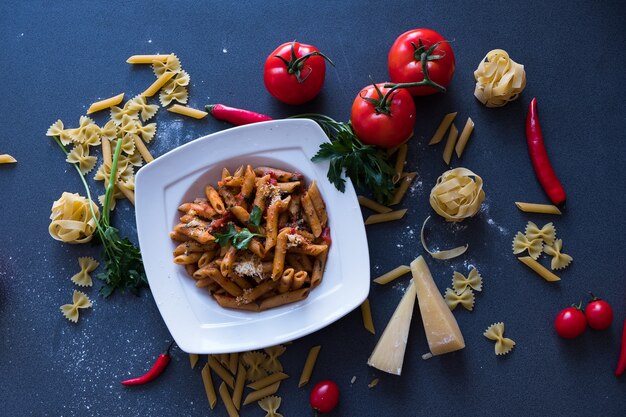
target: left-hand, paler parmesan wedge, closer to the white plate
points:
(388, 355)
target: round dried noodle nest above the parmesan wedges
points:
(457, 195)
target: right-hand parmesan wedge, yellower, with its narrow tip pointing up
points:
(442, 330)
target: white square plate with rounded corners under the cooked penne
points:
(195, 320)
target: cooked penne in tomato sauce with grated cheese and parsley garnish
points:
(257, 239)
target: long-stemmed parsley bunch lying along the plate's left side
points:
(124, 268)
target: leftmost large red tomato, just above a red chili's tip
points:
(294, 73)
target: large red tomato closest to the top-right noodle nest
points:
(407, 52)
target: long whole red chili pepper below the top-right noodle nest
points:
(539, 157)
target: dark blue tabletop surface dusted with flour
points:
(58, 58)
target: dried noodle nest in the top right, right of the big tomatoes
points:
(499, 79)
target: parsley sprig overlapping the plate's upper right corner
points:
(366, 165)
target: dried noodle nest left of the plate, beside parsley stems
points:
(72, 221)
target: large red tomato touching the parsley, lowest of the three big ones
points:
(383, 120)
